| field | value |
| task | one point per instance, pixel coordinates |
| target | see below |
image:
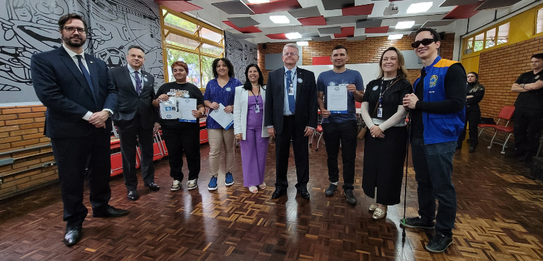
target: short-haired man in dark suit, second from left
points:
(134, 119)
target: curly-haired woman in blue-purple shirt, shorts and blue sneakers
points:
(220, 91)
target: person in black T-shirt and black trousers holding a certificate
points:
(182, 137)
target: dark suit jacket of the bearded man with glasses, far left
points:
(62, 88)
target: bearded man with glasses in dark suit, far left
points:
(79, 96)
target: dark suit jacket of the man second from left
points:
(129, 102)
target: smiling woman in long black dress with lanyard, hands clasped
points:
(386, 140)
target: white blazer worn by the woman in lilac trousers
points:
(241, 106)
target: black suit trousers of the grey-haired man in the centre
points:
(282, 154)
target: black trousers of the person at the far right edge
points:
(527, 130)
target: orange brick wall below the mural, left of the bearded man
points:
(22, 127)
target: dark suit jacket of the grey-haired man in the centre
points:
(306, 100)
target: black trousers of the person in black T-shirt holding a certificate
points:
(181, 141)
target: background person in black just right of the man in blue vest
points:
(476, 91)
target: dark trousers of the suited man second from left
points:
(130, 136)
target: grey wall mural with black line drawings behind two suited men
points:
(30, 26)
